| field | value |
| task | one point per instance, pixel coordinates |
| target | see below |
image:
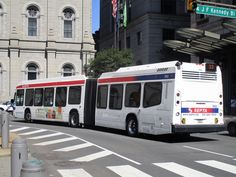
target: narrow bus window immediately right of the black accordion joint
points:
(102, 96)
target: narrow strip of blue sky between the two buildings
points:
(95, 15)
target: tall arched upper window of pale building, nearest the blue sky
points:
(68, 22)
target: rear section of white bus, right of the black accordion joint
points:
(174, 97)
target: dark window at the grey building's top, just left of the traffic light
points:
(168, 7)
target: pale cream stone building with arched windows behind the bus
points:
(43, 38)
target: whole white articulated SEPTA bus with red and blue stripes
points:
(169, 97)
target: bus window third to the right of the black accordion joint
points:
(132, 95)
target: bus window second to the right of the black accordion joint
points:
(116, 94)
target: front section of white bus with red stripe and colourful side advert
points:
(55, 99)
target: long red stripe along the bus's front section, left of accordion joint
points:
(52, 84)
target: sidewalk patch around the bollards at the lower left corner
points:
(5, 157)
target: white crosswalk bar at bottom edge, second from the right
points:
(181, 170)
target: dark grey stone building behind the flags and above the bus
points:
(149, 24)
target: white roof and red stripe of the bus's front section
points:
(47, 82)
